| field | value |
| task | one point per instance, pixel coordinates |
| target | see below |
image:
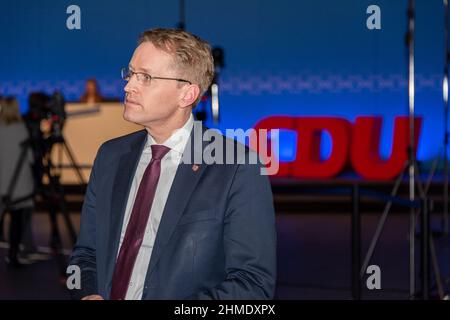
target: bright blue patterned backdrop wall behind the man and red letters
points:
(305, 57)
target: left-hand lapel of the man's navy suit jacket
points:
(122, 183)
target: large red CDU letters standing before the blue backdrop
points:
(352, 144)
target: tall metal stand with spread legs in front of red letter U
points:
(412, 168)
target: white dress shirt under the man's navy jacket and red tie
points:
(169, 165)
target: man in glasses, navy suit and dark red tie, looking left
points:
(156, 225)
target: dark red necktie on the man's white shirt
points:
(137, 224)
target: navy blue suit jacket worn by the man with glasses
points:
(216, 238)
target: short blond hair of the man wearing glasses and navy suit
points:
(192, 55)
